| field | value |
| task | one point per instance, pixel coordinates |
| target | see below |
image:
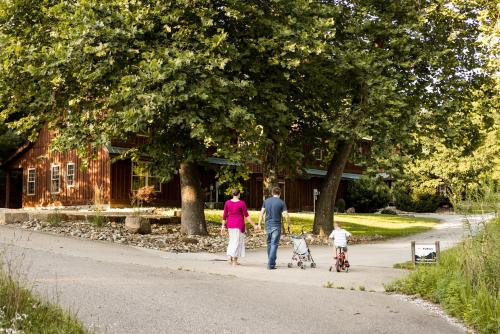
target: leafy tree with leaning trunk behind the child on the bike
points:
(399, 70)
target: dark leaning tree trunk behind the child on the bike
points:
(323, 218)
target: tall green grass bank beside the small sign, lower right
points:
(466, 281)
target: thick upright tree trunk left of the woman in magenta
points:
(192, 203)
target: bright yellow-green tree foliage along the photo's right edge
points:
(470, 160)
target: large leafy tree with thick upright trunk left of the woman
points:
(101, 70)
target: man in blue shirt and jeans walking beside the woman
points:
(273, 208)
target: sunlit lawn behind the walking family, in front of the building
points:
(367, 225)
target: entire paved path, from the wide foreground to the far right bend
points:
(120, 289)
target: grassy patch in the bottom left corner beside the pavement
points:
(21, 312)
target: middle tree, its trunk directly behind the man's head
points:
(277, 41)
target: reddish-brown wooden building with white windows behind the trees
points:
(36, 177)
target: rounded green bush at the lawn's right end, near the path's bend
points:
(408, 198)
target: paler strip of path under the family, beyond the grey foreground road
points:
(372, 264)
